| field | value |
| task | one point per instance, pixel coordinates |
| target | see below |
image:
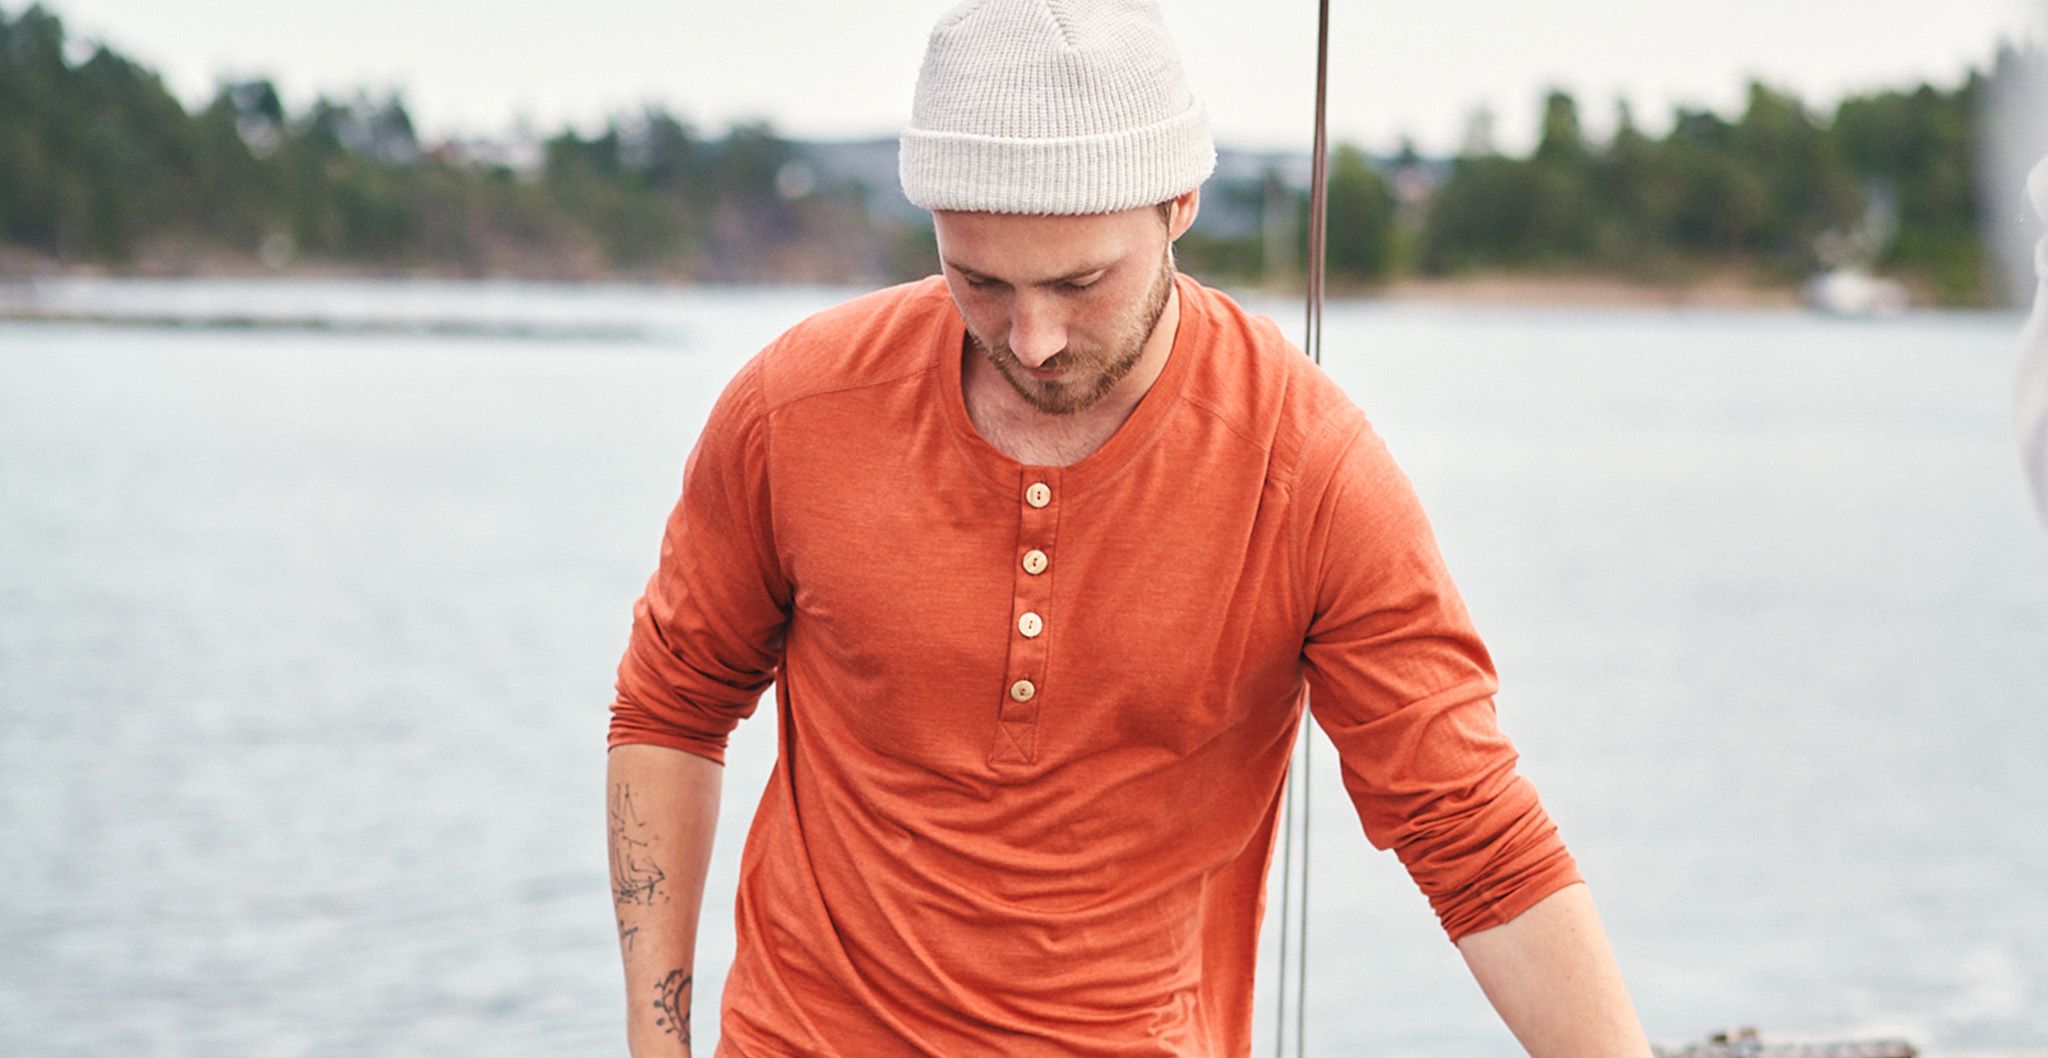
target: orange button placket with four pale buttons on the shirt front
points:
(1031, 617)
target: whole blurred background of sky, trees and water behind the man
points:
(351, 353)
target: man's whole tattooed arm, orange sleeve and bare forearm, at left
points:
(708, 642)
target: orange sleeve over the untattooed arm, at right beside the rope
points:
(1402, 685)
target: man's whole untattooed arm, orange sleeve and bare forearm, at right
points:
(1404, 689)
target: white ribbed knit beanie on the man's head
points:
(1054, 107)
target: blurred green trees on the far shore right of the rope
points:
(1764, 193)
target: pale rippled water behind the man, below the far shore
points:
(306, 640)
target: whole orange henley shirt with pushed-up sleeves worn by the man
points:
(1035, 719)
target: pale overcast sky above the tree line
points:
(845, 71)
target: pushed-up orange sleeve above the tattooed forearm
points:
(708, 633)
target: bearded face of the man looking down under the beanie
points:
(1060, 306)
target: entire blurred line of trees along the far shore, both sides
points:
(101, 165)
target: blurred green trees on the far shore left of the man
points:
(99, 165)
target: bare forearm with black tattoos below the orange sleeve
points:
(663, 809)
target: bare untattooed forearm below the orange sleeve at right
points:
(1553, 979)
